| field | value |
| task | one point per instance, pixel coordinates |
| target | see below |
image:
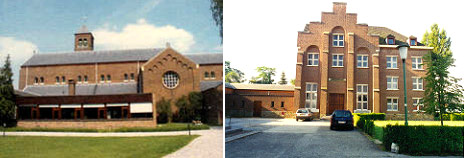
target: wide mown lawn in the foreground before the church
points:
(83, 147)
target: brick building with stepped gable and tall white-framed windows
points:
(342, 64)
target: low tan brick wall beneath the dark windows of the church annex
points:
(92, 124)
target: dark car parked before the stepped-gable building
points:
(342, 118)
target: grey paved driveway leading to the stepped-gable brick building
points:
(288, 138)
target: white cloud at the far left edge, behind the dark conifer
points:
(19, 51)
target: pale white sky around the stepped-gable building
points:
(264, 33)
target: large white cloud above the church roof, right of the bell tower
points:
(143, 35)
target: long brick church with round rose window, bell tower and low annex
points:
(85, 88)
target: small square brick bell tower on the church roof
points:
(83, 40)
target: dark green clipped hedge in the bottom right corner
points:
(425, 140)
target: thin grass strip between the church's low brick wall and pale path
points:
(159, 128)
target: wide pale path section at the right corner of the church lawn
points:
(210, 145)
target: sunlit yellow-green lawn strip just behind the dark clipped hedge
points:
(379, 125)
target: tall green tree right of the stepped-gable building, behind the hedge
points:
(442, 93)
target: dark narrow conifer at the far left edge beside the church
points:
(7, 96)
